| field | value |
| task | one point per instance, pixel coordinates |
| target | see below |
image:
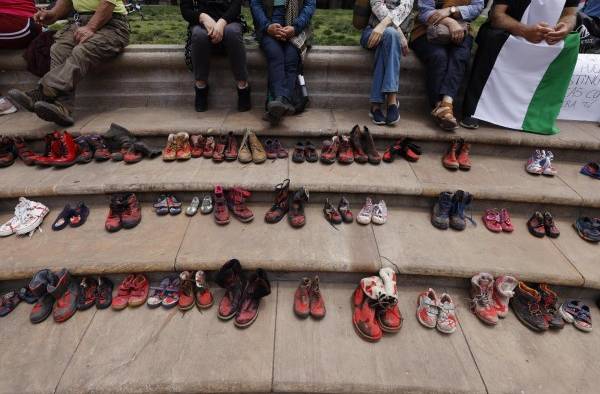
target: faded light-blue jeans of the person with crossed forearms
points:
(386, 71)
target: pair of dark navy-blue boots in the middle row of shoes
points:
(449, 210)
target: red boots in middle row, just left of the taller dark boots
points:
(234, 201)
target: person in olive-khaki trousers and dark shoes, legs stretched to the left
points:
(99, 31)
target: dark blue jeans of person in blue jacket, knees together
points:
(283, 61)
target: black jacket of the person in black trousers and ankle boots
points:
(229, 10)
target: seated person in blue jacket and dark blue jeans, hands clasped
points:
(282, 30)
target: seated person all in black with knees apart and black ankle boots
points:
(215, 25)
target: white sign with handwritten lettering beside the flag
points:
(582, 101)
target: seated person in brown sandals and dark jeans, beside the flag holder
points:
(445, 57)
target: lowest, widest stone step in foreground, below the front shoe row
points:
(152, 351)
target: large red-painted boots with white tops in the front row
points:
(375, 303)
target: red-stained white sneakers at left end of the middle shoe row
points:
(28, 216)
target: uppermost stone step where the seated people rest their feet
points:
(316, 122)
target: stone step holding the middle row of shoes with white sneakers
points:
(408, 242)
